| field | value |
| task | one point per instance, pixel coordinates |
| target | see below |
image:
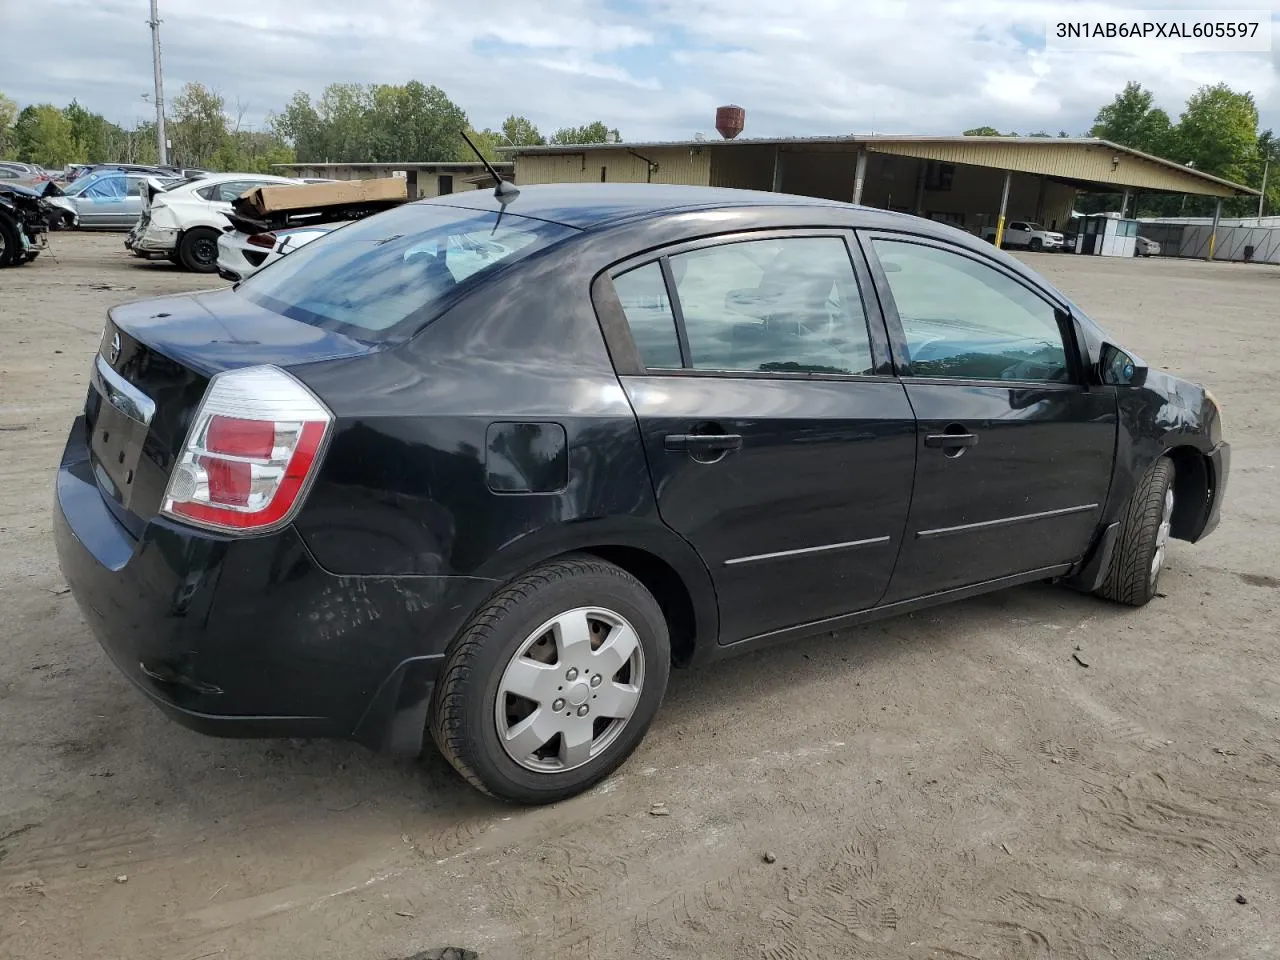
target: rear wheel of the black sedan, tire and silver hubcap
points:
(554, 684)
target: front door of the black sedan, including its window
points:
(1014, 452)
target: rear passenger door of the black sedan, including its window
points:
(780, 445)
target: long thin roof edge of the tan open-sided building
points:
(875, 141)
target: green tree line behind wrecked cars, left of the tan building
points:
(349, 122)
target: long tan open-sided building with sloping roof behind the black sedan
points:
(971, 182)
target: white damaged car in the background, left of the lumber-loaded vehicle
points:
(182, 225)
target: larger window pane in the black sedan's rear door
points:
(783, 305)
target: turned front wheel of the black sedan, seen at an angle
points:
(1140, 552)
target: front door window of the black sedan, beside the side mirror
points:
(967, 321)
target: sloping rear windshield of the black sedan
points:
(385, 277)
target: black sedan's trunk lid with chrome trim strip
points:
(150, 374)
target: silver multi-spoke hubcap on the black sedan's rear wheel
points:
(570, 691)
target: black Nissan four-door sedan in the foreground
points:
(486, 469)
